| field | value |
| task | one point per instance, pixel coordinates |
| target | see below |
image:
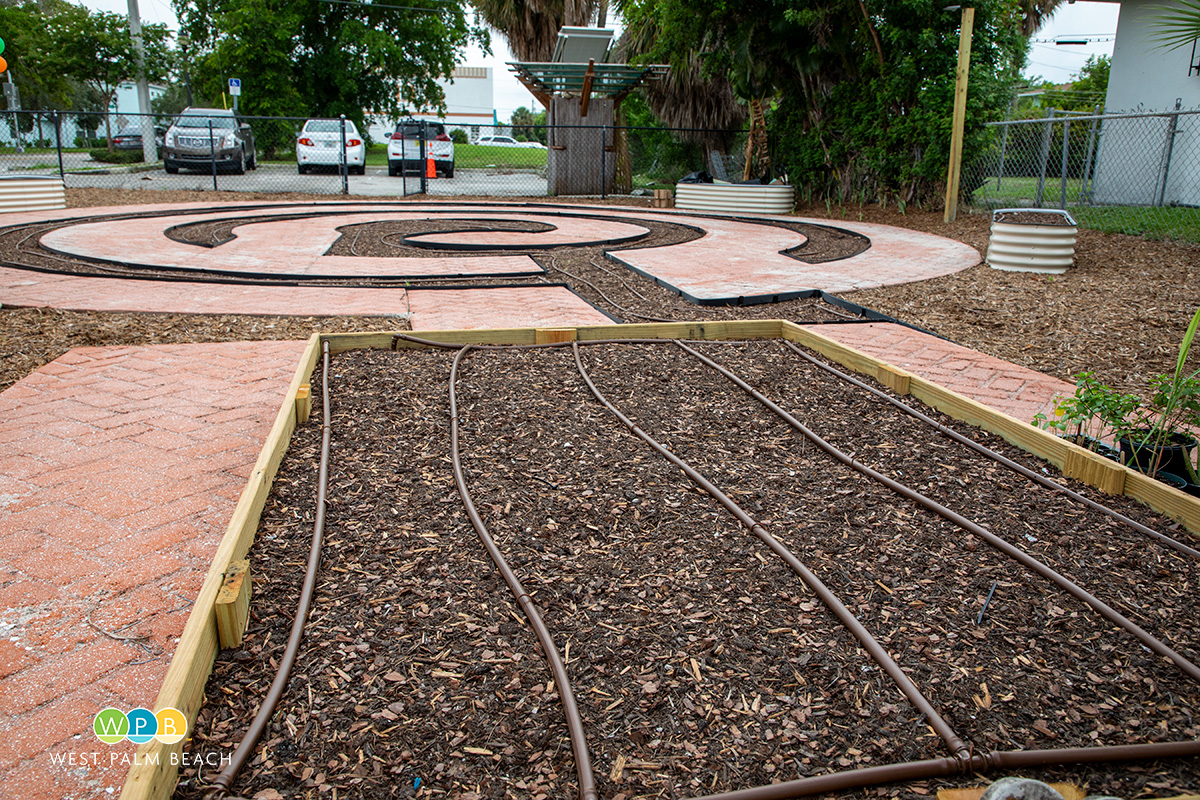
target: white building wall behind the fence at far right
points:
(1153, 160)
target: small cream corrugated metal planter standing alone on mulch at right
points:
(1033, 240)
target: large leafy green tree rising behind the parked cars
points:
(309, 58)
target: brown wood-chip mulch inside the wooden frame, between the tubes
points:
(701, 664)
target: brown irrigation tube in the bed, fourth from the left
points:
(1017, 555)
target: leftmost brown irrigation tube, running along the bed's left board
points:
(224, 783)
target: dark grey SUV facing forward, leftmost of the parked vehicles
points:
(188, 145)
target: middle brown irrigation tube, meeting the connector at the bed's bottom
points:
(831, 600)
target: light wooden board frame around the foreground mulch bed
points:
(155, 772)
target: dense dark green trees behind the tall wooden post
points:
(860, 93)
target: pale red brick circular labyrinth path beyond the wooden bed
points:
(734, 258)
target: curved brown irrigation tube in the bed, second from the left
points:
(574, 723)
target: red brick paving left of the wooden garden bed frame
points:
(121, 472)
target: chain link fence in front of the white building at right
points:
(1119, 173)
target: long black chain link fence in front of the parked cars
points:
(275, 155)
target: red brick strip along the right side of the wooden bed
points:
(993, 382)
